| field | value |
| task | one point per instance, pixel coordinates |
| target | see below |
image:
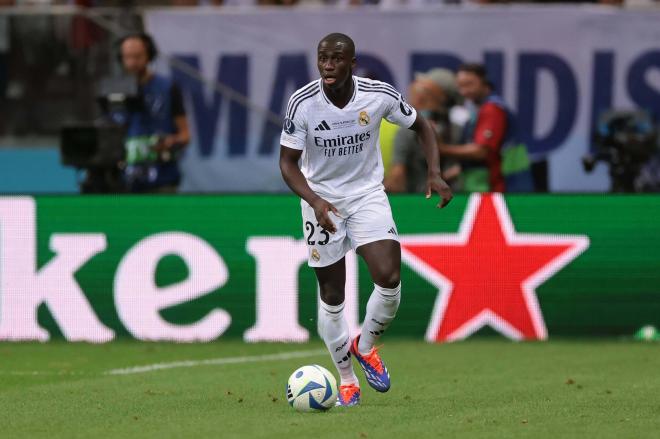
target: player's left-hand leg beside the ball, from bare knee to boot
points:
(333, 329)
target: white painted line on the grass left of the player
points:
(216, 362)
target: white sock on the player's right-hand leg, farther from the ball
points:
(381, 309)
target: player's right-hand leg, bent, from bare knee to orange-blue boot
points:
(383, 259)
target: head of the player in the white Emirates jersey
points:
(336, 59)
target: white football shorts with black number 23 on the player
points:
(364, 219)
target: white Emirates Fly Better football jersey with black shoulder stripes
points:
(341, 150)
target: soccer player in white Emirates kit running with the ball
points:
(332, 124)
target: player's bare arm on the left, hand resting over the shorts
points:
(295, 179)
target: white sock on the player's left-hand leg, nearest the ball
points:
(333, 329)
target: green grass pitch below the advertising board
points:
(483, 388)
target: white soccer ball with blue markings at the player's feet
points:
(311, 388)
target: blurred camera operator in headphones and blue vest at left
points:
(157, 131)
